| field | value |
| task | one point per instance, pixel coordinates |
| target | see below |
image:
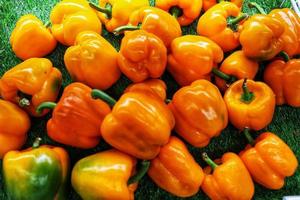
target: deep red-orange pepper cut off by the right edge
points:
(284, 79)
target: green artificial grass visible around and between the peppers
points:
(286, 123)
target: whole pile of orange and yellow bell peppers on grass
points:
(148, 133)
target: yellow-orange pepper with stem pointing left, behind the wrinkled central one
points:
(153, 20)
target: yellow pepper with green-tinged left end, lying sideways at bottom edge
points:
(104, 176)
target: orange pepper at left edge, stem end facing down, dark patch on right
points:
(31, 83)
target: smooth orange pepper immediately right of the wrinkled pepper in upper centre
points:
(192, 57)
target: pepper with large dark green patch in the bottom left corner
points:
(40, 172)
